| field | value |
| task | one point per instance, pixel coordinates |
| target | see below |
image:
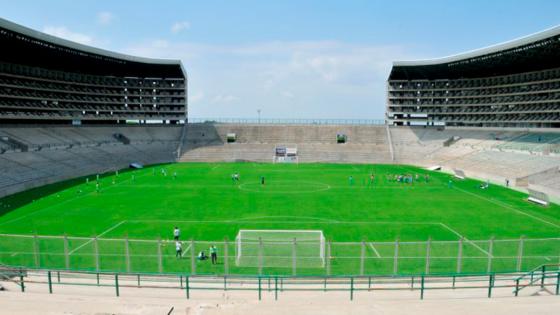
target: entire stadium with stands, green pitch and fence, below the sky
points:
(101, 163)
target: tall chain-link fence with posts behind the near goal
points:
(274, 258)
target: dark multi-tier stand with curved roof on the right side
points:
(513, 84)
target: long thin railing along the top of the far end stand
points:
(288, 121)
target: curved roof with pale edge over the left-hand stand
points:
(26, 46)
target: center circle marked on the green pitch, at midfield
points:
(285, 187)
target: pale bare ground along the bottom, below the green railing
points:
(102, 300)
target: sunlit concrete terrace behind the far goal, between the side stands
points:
(315, 143)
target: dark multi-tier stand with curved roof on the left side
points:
(51, 80)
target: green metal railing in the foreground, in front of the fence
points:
(276, 285)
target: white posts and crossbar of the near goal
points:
(289, 239)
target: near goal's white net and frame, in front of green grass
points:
(280, 248)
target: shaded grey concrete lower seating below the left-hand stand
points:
(57, 153)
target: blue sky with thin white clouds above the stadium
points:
(290, 59)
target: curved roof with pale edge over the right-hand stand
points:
(530, 53)
